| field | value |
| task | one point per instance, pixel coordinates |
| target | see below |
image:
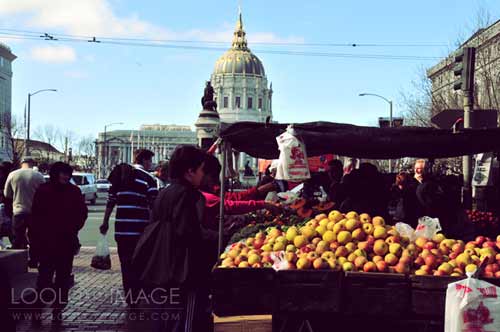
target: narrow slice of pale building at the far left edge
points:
(6, 145)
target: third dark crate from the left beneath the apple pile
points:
(370, 293)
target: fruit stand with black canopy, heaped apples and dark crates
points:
(349, 271)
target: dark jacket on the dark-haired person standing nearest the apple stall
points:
(170, 251)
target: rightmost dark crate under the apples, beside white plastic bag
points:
(428, 294)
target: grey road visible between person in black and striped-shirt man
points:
(89, 235)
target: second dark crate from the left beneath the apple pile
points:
(306, 291)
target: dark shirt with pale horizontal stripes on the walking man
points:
(133, 202)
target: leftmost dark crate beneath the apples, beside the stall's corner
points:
(243, 291)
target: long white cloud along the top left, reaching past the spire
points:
(97, 18)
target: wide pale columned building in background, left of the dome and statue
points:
(119, 145)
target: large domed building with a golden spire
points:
(240, 83)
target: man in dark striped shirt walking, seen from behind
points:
(133, 190)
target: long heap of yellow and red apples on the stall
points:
(353, 242)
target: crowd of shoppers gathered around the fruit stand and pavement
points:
(166, 225)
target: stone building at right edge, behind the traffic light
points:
(487, 74)
